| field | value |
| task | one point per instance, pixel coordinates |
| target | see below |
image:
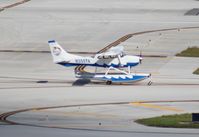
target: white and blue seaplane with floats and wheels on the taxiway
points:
(117, 63)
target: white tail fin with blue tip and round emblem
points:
(58, 53)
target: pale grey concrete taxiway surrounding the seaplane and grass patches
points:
(39, 98)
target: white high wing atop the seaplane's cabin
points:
(113, 52)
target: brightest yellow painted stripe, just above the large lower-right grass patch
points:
(156, 106)
